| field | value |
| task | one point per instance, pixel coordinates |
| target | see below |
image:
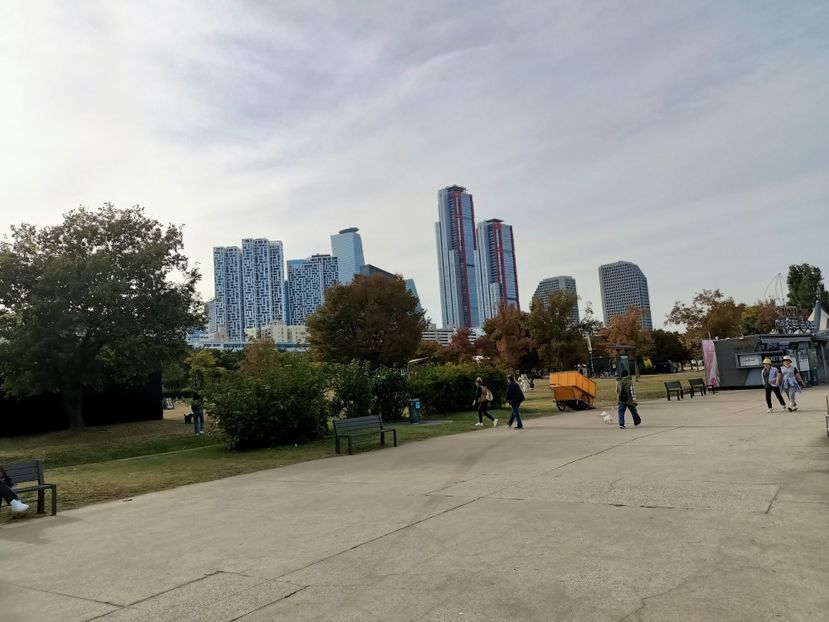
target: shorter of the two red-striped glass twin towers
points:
(495, 268)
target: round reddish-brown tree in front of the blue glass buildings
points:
(373, 320)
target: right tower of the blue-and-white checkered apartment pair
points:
(262, 277)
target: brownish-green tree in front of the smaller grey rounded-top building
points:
(560, 343)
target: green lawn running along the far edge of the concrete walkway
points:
(119, 461)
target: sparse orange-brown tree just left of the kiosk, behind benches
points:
(710, 314)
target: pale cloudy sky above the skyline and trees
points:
(691, 138)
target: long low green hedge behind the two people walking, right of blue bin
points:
(451, 387)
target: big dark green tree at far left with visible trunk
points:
(92, 299)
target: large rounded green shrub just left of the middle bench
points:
(277, 401)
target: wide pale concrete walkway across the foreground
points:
(711, 510)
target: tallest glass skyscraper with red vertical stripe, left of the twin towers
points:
(455, 233)
